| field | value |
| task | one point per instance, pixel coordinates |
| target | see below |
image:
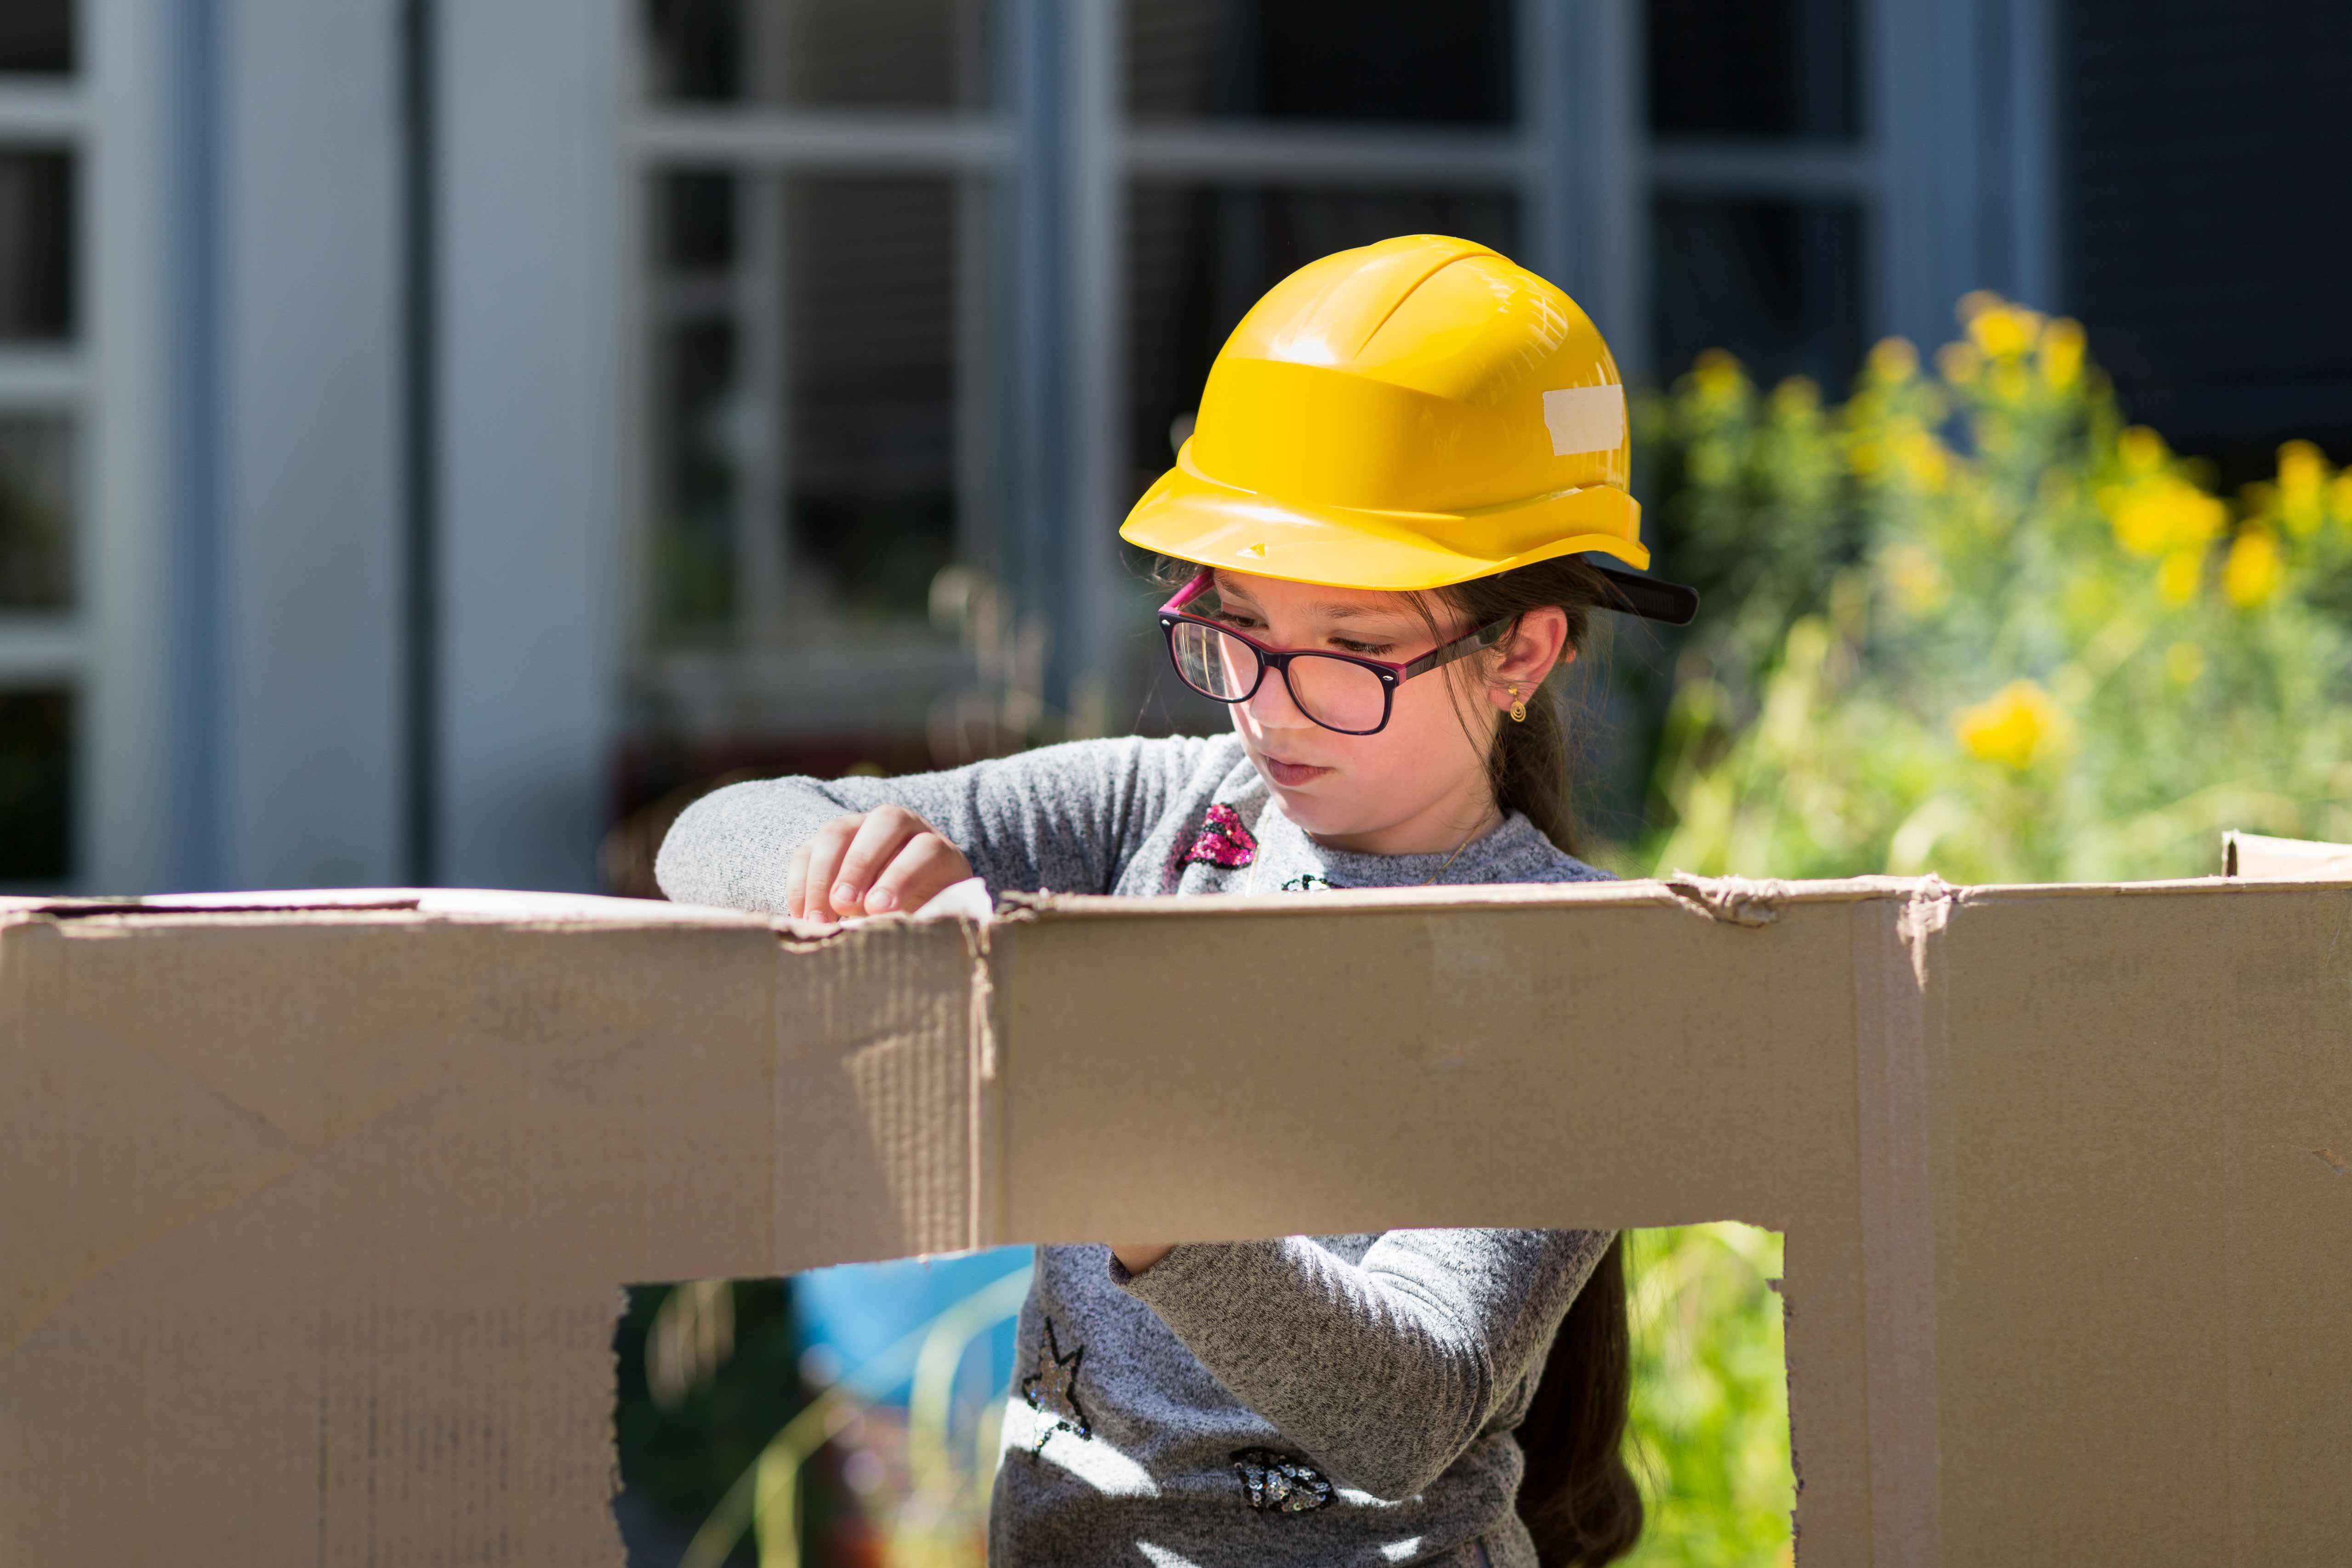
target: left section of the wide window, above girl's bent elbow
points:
(817, 187)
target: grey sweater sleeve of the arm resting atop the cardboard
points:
(1057, 819)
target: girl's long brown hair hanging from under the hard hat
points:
(1577, 1499)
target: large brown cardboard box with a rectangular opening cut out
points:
(314, 1214)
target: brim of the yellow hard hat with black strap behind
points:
(1194, 518)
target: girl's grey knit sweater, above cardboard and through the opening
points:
(1311, 1400)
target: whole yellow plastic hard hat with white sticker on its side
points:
(1408, 415)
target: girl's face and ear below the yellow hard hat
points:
(1417, 786)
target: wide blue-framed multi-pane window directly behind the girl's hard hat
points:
(904, 257)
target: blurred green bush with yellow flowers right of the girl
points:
(1975, 624)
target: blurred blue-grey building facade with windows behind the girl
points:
(436, 427)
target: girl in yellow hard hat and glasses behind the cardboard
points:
(1375, 540)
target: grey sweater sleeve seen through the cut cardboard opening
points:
(1384, 1372)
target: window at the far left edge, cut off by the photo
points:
(44, 434)
